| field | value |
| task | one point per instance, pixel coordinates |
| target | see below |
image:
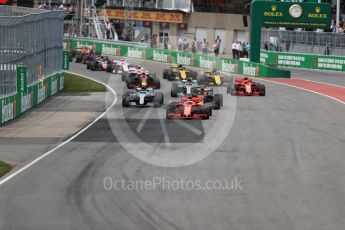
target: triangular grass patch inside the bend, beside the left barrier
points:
(76, 84)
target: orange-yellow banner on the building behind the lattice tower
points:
(147, 16)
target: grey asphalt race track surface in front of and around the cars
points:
(286, 150)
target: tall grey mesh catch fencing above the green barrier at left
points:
(32, 38)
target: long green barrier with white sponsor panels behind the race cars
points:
(171, 56)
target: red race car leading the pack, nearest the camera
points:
(188, 109)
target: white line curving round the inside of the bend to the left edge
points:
(15, 173)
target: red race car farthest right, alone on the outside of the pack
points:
(245, 86)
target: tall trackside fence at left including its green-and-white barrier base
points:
(31, 58)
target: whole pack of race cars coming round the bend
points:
(196, 99)
